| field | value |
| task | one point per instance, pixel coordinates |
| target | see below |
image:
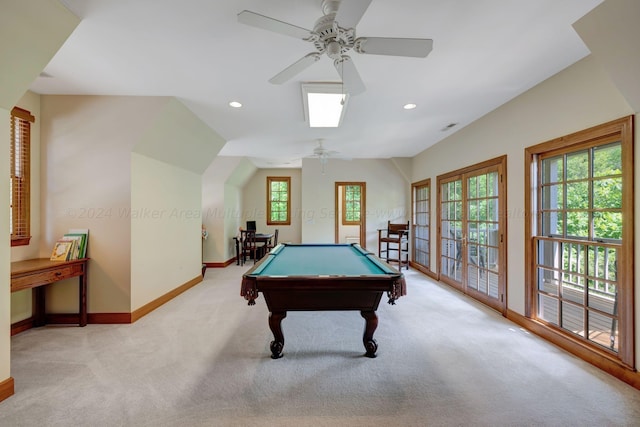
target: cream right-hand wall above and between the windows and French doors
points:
(579, 97)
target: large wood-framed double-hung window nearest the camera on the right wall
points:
(581, 267)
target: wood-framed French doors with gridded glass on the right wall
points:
(471, 233)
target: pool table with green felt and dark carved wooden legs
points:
(310, 277)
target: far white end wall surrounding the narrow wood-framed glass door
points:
(387, 198)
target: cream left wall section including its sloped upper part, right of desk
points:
(166, 201)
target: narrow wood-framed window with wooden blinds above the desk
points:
(20, 172)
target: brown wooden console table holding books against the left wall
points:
(36, 273)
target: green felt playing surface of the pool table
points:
(321, 259)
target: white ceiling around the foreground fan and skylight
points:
(485, 52)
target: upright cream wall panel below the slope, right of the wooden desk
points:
(165, 228)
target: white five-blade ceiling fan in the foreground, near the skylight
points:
(335, 34)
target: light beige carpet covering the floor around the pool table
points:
(203, 360)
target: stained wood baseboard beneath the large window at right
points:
(608, 364)
